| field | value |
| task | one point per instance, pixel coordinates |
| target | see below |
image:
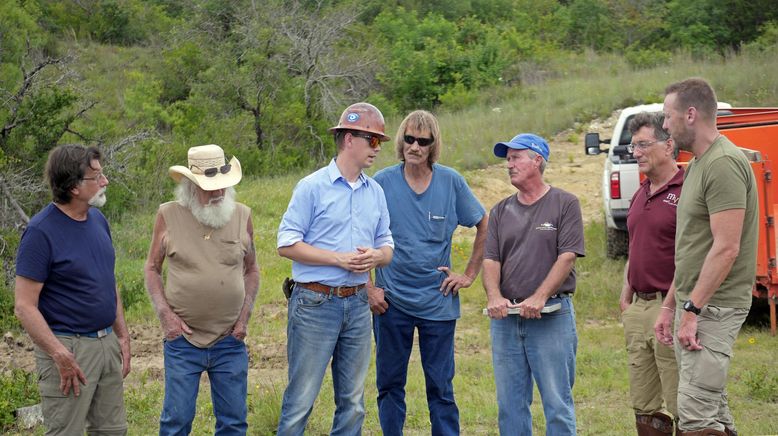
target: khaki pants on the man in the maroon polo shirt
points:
(653, 373)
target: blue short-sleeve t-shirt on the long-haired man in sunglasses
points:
(422, 226)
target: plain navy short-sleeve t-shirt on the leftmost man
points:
(75, 262)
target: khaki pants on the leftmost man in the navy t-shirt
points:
(100, 407)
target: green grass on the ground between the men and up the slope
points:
(588, 86)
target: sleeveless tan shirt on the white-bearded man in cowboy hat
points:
(205, 271)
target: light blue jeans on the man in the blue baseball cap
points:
(543, 349)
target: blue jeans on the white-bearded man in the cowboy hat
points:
(227, 364)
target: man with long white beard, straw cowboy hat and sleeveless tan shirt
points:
(212, 281)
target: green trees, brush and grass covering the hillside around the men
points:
(145, 80)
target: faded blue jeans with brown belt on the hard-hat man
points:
(323, 327)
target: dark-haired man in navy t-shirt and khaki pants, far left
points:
(67, 301)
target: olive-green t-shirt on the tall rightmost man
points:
(721, 179)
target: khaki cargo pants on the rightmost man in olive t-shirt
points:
(702, 395)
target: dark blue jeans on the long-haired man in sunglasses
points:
(394, 340)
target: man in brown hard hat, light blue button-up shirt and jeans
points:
(335, 230)
